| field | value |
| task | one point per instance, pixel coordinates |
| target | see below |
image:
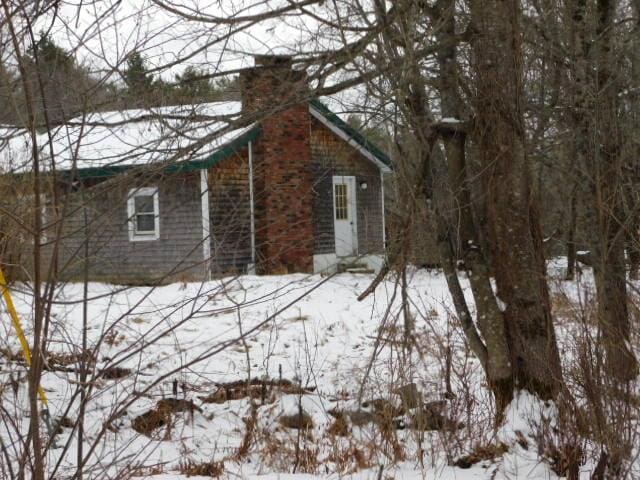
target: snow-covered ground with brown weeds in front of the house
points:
(149, 344)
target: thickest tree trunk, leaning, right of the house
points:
(513, 223)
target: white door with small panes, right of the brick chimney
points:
(344, 215)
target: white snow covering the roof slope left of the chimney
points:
(126, 138)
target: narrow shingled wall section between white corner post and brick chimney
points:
(230, 213)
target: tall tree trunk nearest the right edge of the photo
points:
(605, 162)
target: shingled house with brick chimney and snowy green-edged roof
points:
(175, 193)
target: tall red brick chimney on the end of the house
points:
(276, 95)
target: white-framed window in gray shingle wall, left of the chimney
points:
(143, 214)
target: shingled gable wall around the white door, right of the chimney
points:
(333, 156)
